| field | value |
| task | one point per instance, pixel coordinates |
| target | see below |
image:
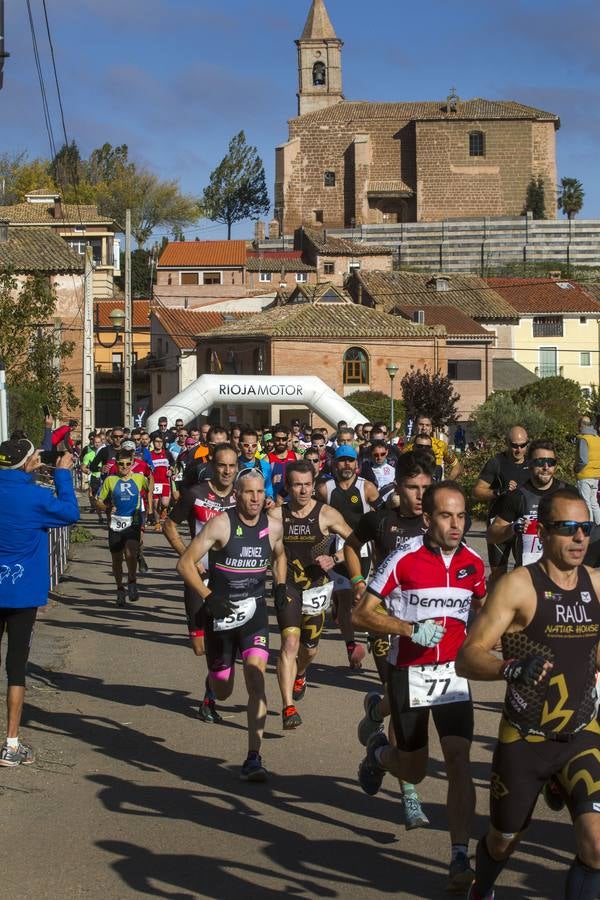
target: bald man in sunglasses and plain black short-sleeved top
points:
(501, 475)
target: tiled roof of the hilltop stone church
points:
(347, 112)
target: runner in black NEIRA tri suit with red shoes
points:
(305, 593)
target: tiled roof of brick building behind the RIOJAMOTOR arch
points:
(309, 320)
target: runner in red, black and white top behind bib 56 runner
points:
(197, 505)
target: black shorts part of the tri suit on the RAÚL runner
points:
(521, 767)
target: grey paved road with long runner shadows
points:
(133, 796)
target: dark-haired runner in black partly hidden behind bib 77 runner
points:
(391, 530)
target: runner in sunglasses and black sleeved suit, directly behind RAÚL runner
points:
(516, 512)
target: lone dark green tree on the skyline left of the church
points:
(237, 188)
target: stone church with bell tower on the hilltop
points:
(348, 163)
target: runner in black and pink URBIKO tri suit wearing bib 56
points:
(239, 544)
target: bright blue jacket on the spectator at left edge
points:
(27, 511)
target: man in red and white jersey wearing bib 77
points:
(427, 588)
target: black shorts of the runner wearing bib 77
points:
(411, 726)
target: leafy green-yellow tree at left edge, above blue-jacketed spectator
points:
(31, 353)
